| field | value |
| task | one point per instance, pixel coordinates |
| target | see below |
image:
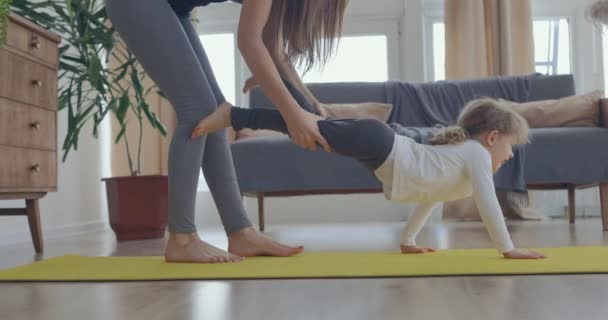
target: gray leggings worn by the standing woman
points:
(170, 51)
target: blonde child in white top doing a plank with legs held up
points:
(458, 162)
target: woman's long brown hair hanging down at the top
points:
(309, 29)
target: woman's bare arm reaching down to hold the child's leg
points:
(302, 125)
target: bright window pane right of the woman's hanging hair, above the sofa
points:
(357, 58)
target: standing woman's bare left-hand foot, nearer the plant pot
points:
(188, 247)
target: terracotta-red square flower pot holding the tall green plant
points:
(138, 206)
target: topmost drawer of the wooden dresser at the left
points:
(34, 43)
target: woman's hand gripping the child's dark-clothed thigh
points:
(304, 131)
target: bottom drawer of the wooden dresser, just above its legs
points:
(27, 168)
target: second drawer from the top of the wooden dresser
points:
(26, 81)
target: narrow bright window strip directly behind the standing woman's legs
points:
(220, 49)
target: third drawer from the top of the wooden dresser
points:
(25, 126)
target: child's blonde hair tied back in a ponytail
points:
(484, 115)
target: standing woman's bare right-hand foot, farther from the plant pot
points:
(249, 243)
